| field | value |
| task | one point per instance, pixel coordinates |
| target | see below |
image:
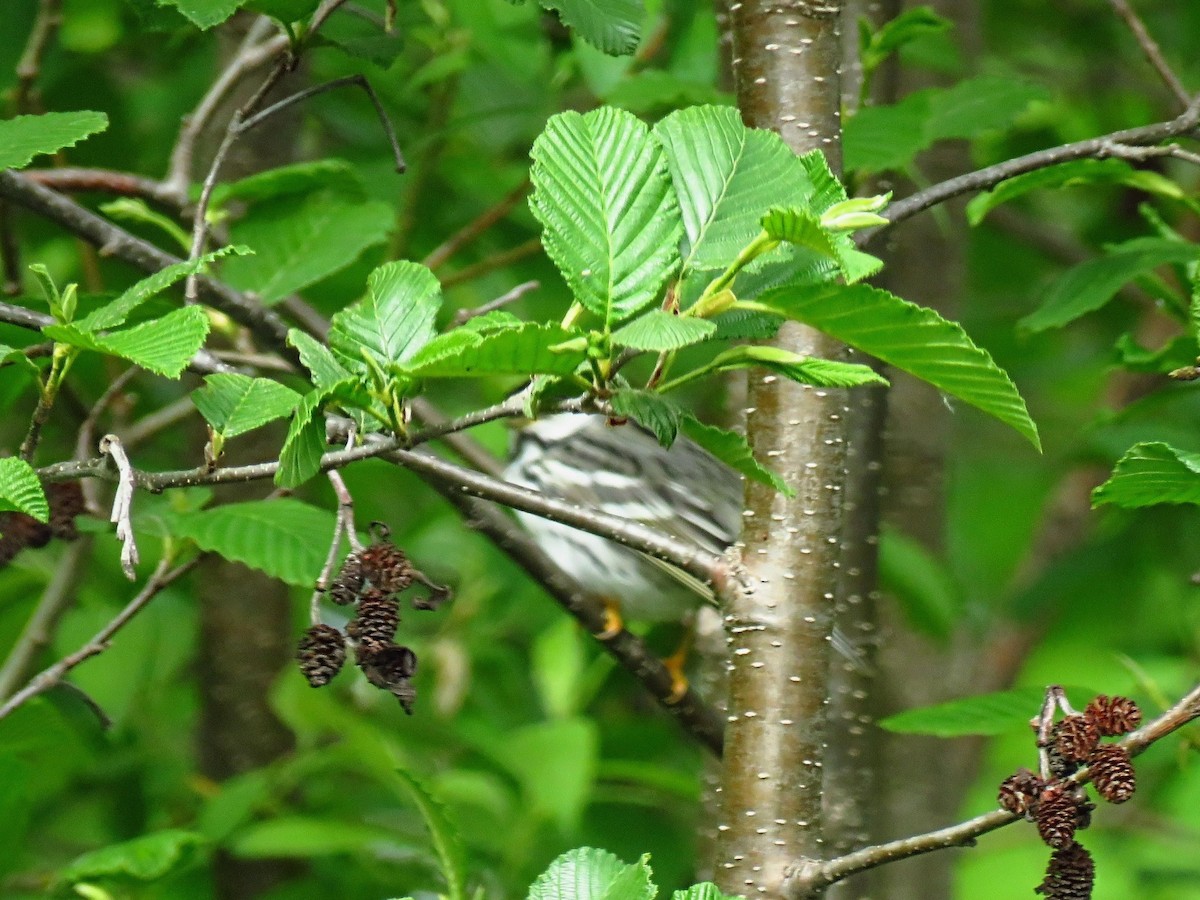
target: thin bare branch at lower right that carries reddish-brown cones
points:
(808, 877)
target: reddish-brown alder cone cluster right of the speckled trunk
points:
(1059, 806)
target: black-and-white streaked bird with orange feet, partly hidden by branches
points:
(622, 470)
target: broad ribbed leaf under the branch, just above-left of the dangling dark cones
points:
(285, 538)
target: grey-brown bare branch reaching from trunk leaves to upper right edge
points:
(992, 176)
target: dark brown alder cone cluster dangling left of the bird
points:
(370, 581)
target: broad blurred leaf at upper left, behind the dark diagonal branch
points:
(302, 238)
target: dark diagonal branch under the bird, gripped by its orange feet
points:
(703, 722)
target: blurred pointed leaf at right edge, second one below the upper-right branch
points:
(1091, 285)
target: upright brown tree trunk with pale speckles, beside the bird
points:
(787, 64)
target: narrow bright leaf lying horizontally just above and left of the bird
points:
(526, 351)
